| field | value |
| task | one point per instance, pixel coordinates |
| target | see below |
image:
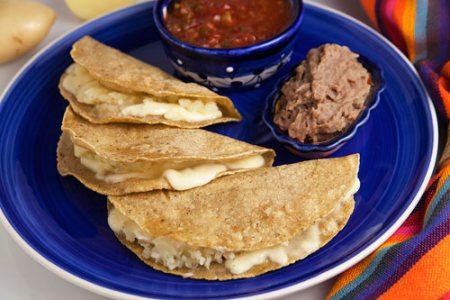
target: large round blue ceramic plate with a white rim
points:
(63, 225)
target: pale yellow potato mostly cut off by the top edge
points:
(87, 9)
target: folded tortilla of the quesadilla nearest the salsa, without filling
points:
(121, 72)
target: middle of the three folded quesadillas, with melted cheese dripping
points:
(117, 159)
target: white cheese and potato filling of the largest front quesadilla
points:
(176, 254)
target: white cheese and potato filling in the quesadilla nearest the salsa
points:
(88, 90)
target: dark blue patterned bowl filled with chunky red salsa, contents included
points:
(228, 44)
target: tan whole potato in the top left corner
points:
(23, 24)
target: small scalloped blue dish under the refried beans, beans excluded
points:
(326, 148)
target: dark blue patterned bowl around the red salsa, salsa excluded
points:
(234, 68)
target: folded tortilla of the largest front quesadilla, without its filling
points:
(246, 212)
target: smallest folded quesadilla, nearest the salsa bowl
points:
(105, 85)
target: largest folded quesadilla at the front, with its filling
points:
(240, 225)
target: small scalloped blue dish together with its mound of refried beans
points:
(322, 104)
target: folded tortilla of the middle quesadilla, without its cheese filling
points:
(129, 143)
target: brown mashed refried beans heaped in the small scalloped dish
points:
(325, 96)
